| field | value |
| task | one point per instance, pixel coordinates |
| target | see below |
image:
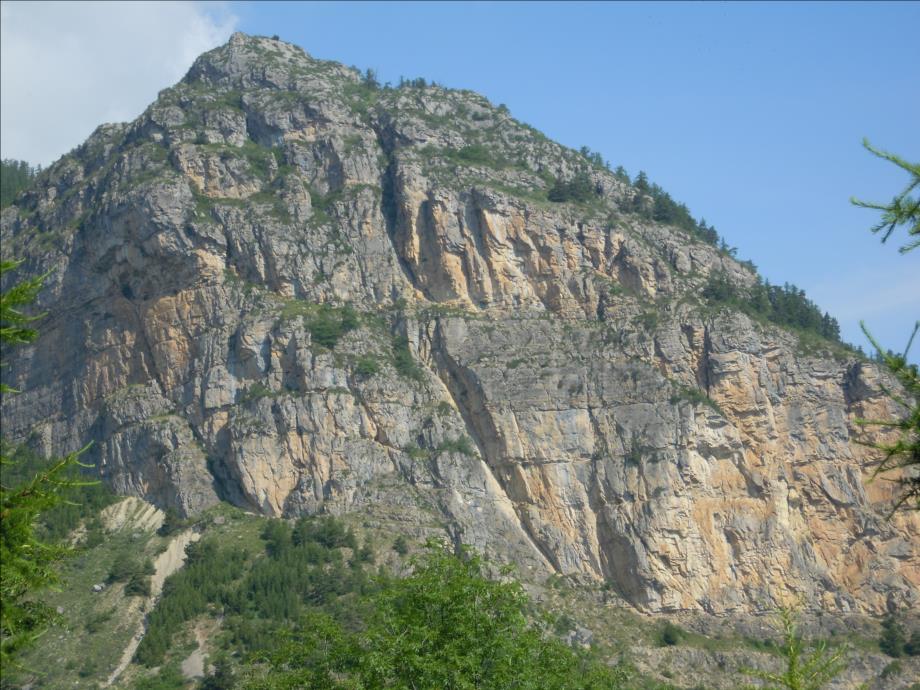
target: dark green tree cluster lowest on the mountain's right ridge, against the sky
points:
(785, 306)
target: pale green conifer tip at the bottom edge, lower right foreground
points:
(807, 667)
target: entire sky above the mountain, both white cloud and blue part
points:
(751, 114)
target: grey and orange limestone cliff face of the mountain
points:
(517, 374)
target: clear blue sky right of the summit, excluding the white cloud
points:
(751, 114)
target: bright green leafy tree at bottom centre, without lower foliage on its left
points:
(426, 631)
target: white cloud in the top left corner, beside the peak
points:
(67, 67)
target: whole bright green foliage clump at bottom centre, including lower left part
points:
(444, 626)
